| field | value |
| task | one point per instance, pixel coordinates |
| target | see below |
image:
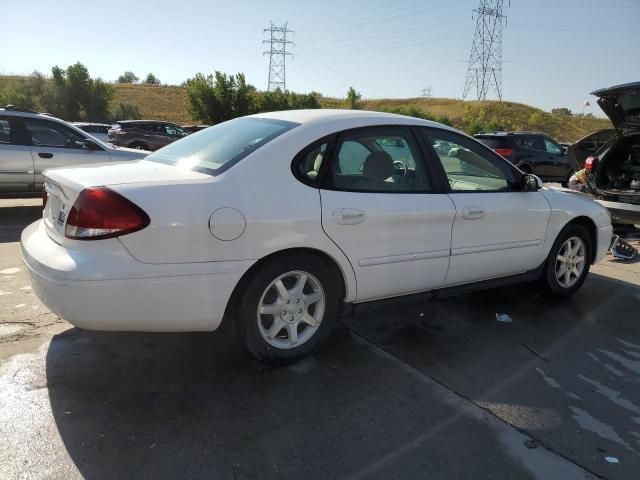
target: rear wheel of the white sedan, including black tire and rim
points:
(288, 308)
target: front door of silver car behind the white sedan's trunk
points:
(53, 144)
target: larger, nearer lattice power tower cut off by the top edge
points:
(485, 62)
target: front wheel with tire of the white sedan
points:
(568, 262)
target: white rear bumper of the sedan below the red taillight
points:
(129, 295)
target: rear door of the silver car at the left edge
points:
(16, 162)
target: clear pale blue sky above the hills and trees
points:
(555, 51)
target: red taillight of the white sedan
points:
(99, 212)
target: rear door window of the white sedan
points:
(378, 160)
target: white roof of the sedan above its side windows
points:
(328, 115)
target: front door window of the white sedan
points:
(469, 166)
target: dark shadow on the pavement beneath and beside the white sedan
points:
(195, 405)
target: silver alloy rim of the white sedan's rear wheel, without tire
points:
(291, 309)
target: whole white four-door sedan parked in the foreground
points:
(281, 221)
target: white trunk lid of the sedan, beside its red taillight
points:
(63, 185)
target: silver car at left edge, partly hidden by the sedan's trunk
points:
(31, 142)
